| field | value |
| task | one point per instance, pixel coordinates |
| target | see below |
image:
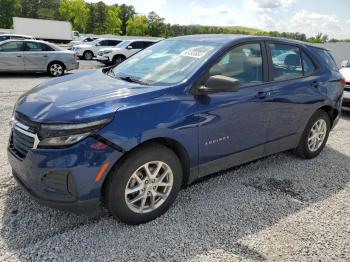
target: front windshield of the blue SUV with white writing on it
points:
(166, 63)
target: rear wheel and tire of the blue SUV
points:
(315, 135)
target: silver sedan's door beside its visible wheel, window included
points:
(36, 56)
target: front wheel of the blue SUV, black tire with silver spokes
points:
(144, 185)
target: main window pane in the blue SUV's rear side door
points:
(286, 62)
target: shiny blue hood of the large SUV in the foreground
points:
(82, 97)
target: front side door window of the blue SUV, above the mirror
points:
(243, 63)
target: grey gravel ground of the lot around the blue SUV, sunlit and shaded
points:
(280, 208)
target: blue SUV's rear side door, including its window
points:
(292, 89)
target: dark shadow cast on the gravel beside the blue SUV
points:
(214, 214)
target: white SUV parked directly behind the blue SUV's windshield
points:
(117, 54)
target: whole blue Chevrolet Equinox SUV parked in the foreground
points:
(129, 137)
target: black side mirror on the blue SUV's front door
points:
(218, 84)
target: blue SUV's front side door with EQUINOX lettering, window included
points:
(233, 126)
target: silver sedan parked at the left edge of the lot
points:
(36, 56)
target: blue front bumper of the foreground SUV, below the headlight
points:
(65, 178)
